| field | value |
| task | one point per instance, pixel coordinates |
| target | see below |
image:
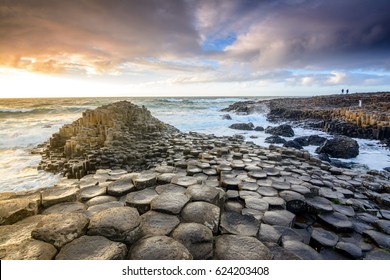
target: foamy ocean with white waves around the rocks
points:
(25, 123)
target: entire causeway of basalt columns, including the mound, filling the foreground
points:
(136, 188)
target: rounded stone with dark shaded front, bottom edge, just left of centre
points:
(197, 238)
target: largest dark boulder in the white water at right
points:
(340, 147)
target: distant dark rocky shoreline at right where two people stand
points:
(335, 114)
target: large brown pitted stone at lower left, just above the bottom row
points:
(60, 229)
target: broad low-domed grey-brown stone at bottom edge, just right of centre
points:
(239, 247)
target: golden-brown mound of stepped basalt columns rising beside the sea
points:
(118, 135)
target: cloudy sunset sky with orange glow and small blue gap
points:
(193, 47)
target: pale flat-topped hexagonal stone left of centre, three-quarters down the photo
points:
(169, 203)
